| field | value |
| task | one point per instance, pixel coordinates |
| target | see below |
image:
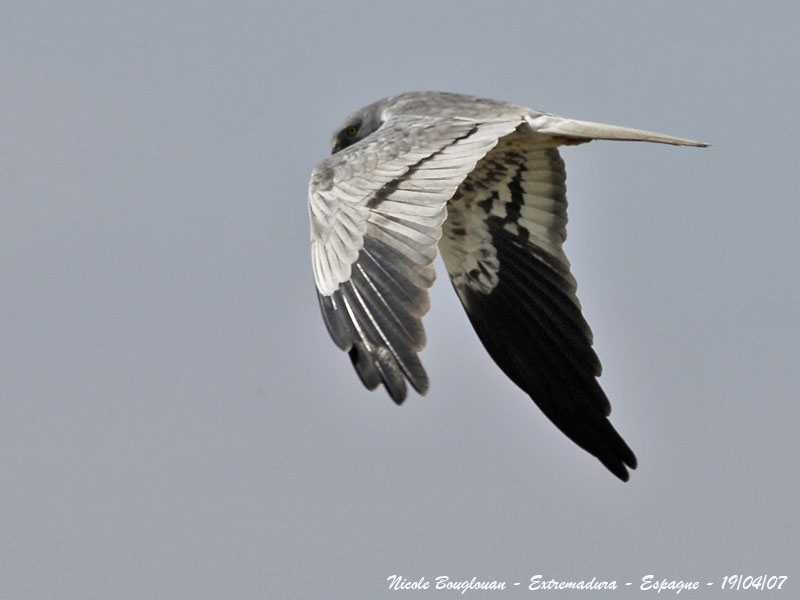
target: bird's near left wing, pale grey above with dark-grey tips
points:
(376, 211)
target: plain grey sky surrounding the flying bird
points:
(175, 421)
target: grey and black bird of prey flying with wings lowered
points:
(483, 181)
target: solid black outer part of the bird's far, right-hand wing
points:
(556, 369)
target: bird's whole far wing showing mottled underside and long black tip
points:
(502, 246)
